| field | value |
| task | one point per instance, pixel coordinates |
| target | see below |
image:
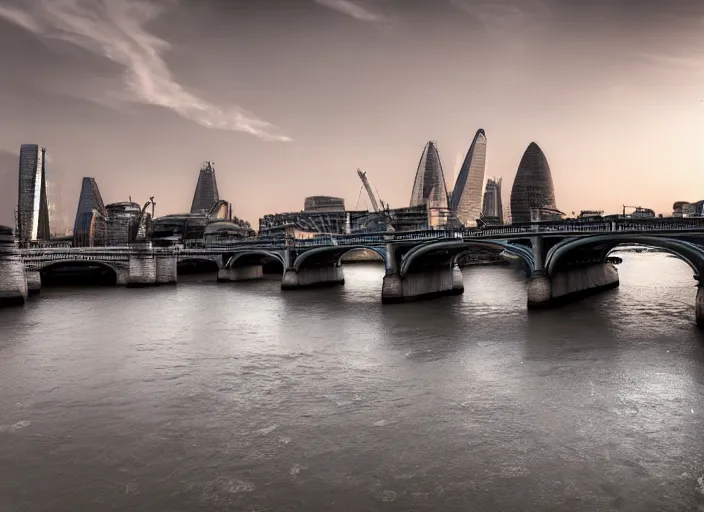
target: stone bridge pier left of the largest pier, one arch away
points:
(421, 285)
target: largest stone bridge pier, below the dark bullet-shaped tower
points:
(570, 285)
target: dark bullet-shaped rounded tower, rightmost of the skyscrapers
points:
(532, 189)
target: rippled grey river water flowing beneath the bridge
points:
(237, 396)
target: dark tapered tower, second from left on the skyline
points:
(90, 227)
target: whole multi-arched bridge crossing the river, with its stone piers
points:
(563, 260)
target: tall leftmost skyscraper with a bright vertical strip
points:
(32, 204)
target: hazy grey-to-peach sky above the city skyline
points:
(290, 97)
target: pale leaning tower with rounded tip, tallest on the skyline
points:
(466, 202)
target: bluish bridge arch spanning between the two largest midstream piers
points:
(449, 251)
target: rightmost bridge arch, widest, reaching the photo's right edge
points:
(690, 253)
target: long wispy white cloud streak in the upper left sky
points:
(115, 29)
